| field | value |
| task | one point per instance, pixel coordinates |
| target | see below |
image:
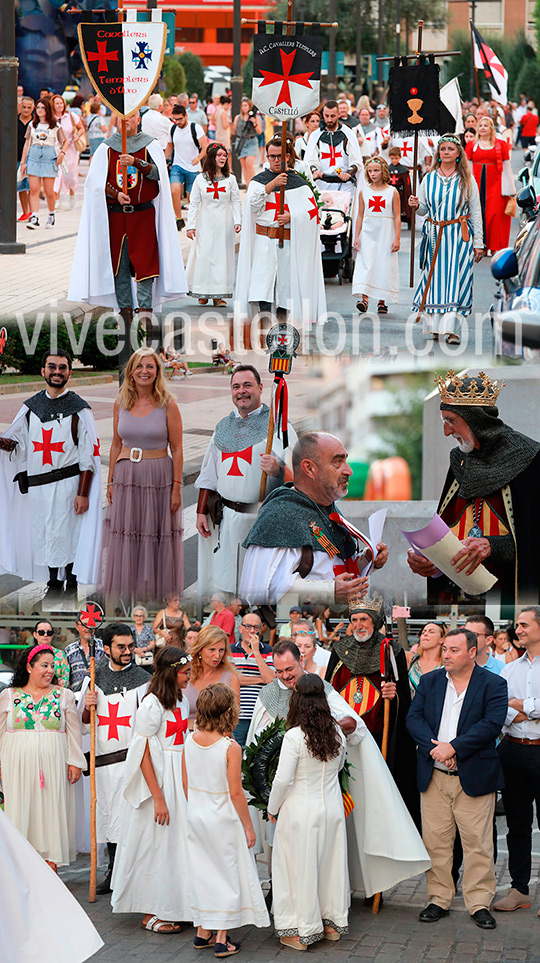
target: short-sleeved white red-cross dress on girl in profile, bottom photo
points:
(150, 870)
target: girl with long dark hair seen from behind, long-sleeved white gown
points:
(310, 877)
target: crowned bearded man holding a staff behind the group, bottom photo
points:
(356, 672)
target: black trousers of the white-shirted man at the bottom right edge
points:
(521, 767)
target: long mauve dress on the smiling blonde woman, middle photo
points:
(143, 556)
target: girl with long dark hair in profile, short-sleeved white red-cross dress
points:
(150, 870)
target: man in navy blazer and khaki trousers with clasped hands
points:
(455, 718)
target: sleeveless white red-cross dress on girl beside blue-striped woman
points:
(376, 273)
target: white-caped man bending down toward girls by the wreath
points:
(384, 845)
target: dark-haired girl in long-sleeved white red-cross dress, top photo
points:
(215, 216)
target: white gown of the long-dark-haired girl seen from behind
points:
(309, 863)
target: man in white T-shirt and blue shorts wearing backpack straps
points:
(187, 144)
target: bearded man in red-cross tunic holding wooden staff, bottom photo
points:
(120, 687)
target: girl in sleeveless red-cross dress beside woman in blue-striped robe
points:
(377, 239)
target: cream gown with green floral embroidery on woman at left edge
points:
(37, 744)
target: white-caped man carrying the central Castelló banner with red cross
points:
(287, 279)
